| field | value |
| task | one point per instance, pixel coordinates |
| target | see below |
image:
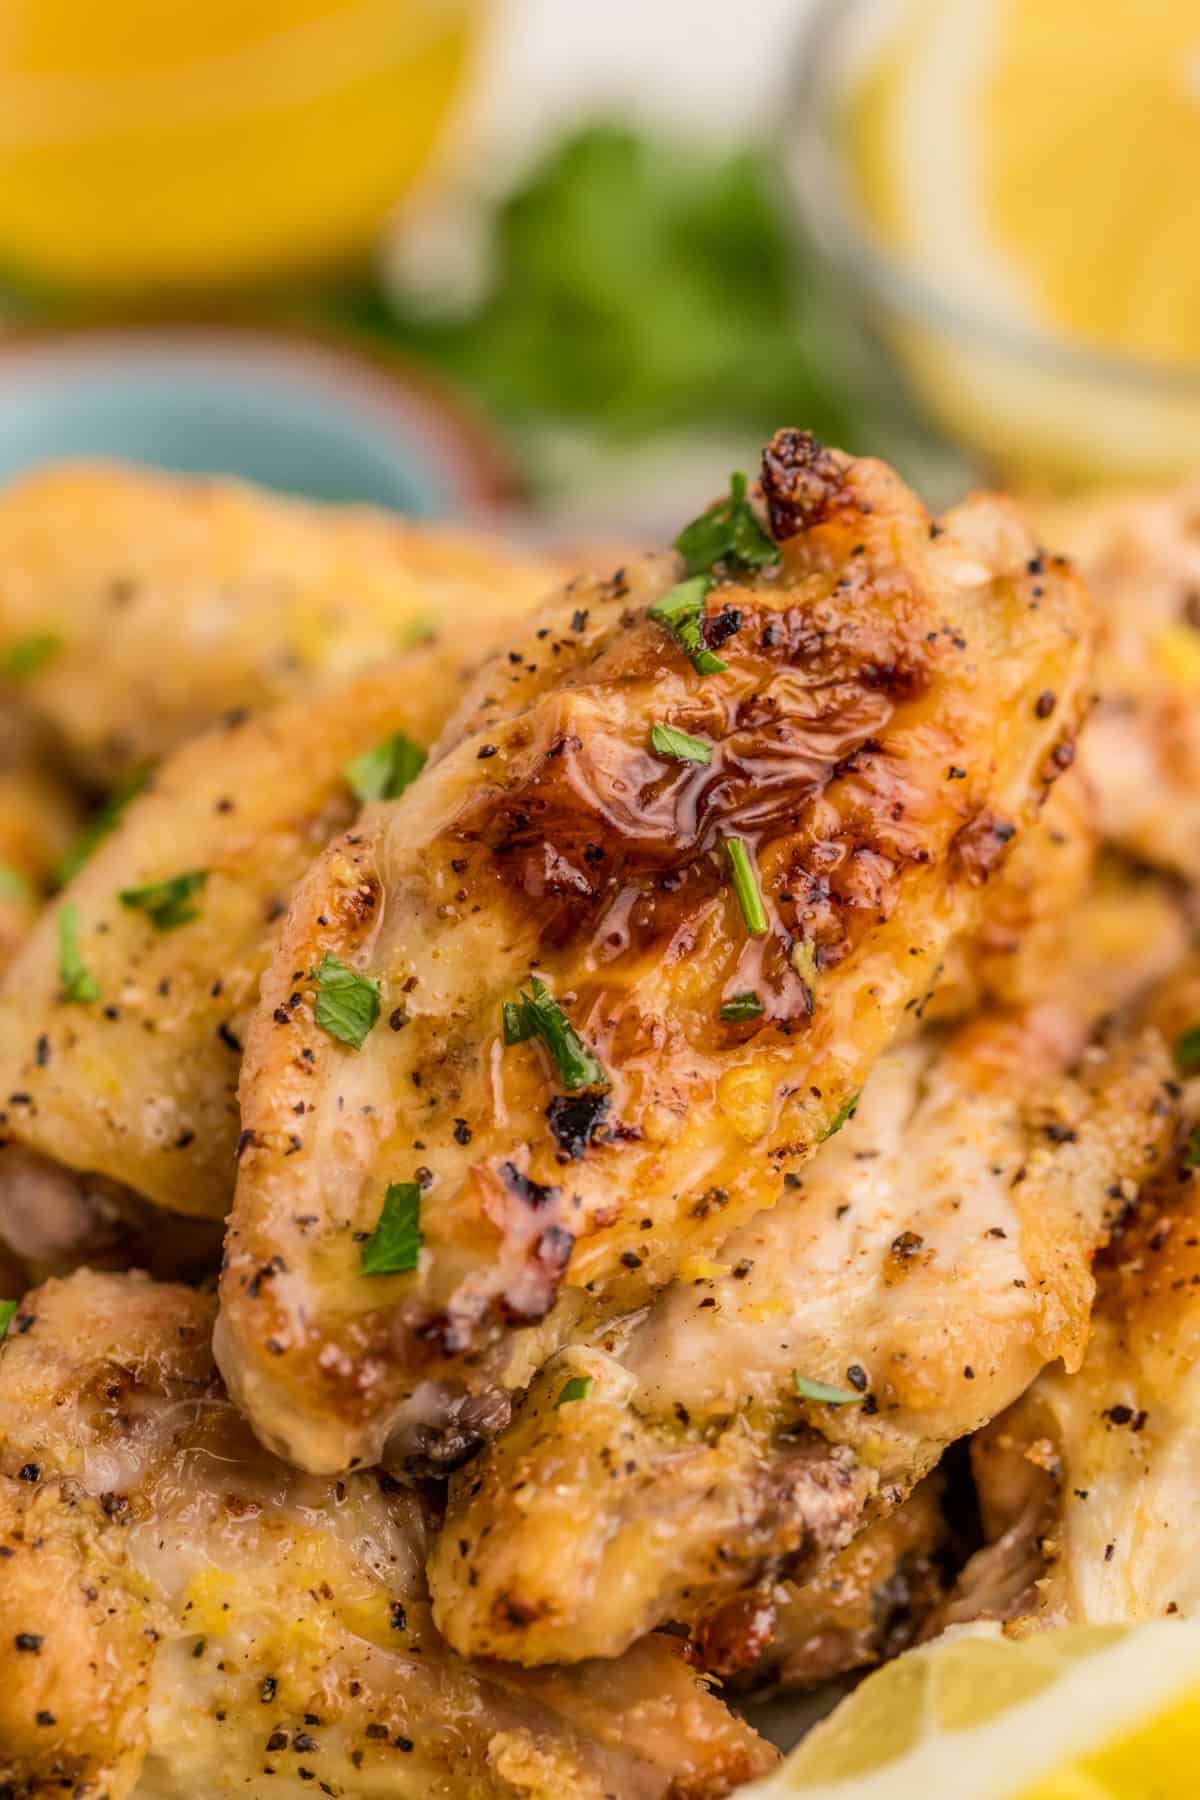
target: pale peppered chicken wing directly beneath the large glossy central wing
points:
(926, 1266)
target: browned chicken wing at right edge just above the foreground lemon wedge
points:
(1089, 1484)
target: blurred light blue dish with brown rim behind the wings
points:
(285, 411)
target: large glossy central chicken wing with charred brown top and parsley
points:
(891, 712)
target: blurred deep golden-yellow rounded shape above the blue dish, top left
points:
(154, 143)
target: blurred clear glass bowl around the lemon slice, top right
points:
(1035, 408)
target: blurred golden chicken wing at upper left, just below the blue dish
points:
(141, 607)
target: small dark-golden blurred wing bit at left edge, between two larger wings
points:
(39, 820)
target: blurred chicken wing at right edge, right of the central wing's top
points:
(1142, 751)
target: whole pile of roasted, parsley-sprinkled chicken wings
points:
(580, 1146)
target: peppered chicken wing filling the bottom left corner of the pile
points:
(184, 1615)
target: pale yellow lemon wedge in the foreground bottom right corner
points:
(1079, 1714)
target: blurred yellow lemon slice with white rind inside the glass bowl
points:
(1041, 156)
